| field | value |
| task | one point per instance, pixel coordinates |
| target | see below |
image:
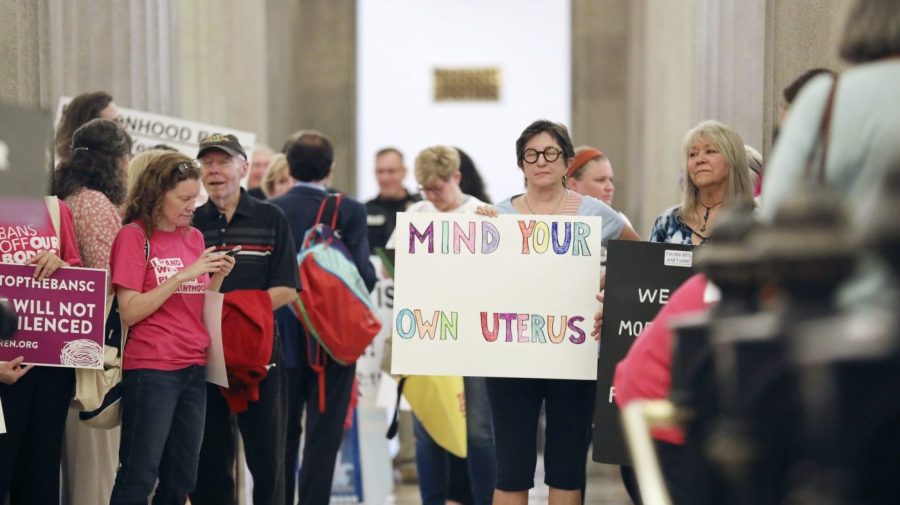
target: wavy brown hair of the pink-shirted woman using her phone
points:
(161, 175)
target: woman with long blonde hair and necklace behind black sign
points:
(715, 176)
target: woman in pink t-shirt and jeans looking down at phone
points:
(161, 271)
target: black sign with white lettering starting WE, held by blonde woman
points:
(640, 276)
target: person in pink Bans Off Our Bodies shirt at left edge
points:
(35, 400)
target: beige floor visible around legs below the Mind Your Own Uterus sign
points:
(604, 488)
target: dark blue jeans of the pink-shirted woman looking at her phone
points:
(162, 427)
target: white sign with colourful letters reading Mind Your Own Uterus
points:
(511, 296)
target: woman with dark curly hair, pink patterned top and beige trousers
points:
(92, 183)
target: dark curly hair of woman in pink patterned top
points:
(95, 162)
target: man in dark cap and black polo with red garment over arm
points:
(266, 264)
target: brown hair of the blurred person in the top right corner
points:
(872, 31)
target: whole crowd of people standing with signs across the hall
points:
(137, 218)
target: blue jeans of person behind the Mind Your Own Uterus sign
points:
(432, 460)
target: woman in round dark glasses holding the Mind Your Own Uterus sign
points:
(544, 151)
